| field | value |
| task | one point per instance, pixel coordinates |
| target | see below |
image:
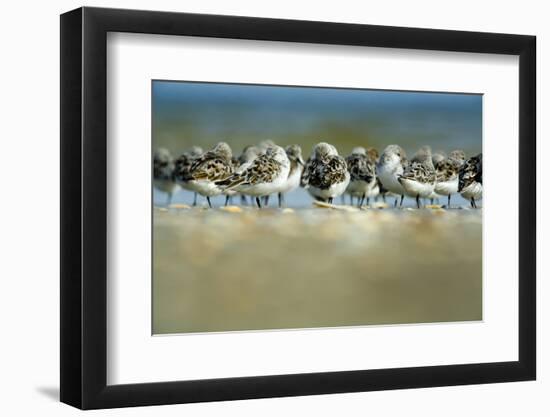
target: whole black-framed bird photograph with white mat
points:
(258, 208)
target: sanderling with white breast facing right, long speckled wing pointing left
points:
(267, 174)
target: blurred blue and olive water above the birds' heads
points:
(186, 114)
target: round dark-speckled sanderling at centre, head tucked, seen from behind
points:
(327, 175)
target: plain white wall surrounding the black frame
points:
(29, 225)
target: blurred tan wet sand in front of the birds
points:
(250, 269)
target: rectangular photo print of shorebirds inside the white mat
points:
(294, 207)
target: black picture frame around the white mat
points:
(84, 207)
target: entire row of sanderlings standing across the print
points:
(268, 169)
